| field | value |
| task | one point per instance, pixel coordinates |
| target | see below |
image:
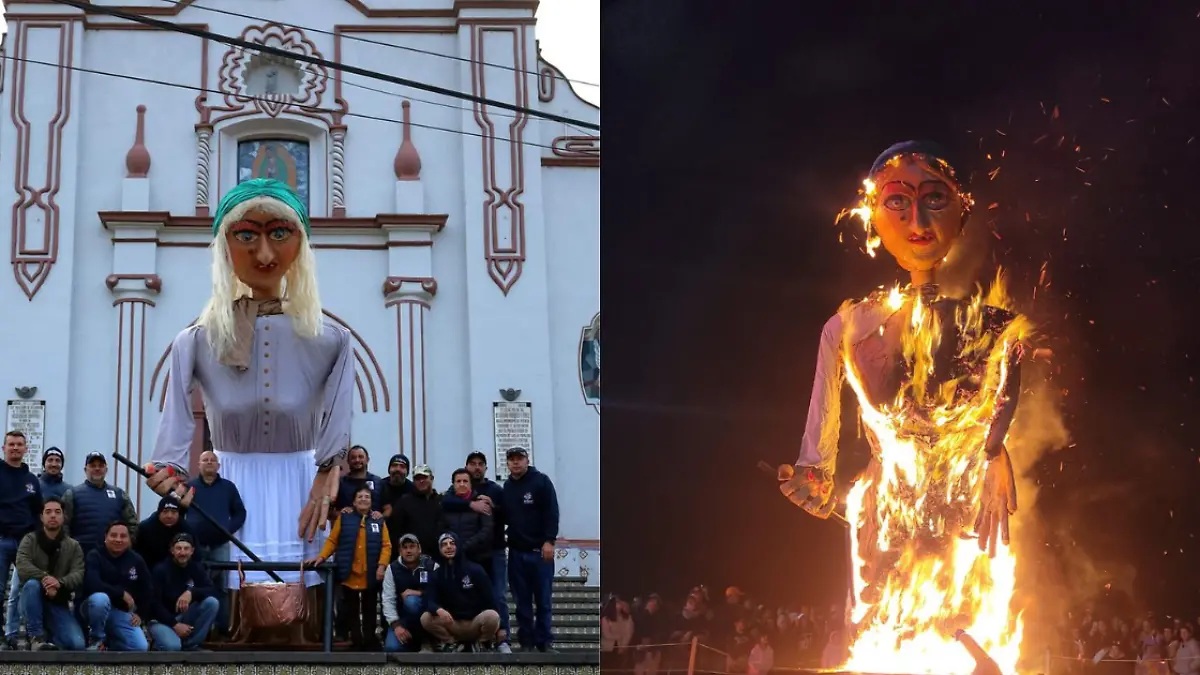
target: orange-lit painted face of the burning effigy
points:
(919, 214)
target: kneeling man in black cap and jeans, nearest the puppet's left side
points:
(184, 604)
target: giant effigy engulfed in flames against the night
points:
(938, 381)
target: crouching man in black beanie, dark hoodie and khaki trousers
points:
(459, 604)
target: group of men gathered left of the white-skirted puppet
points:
(79, 584)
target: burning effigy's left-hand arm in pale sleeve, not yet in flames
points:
(809, 483)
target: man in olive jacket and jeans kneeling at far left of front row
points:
(51, 569)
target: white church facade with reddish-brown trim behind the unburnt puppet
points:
(459, 242)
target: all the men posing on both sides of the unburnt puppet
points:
(453, 557)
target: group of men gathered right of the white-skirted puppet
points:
(454, 555)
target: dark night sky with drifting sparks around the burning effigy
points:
(737, 133)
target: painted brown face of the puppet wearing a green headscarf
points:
(262, 249)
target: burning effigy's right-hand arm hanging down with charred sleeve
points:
(999, 499)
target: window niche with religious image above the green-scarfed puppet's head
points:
(289, 150)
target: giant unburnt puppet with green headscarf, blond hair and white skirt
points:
(275, 375)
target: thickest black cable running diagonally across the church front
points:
(82, 5)
